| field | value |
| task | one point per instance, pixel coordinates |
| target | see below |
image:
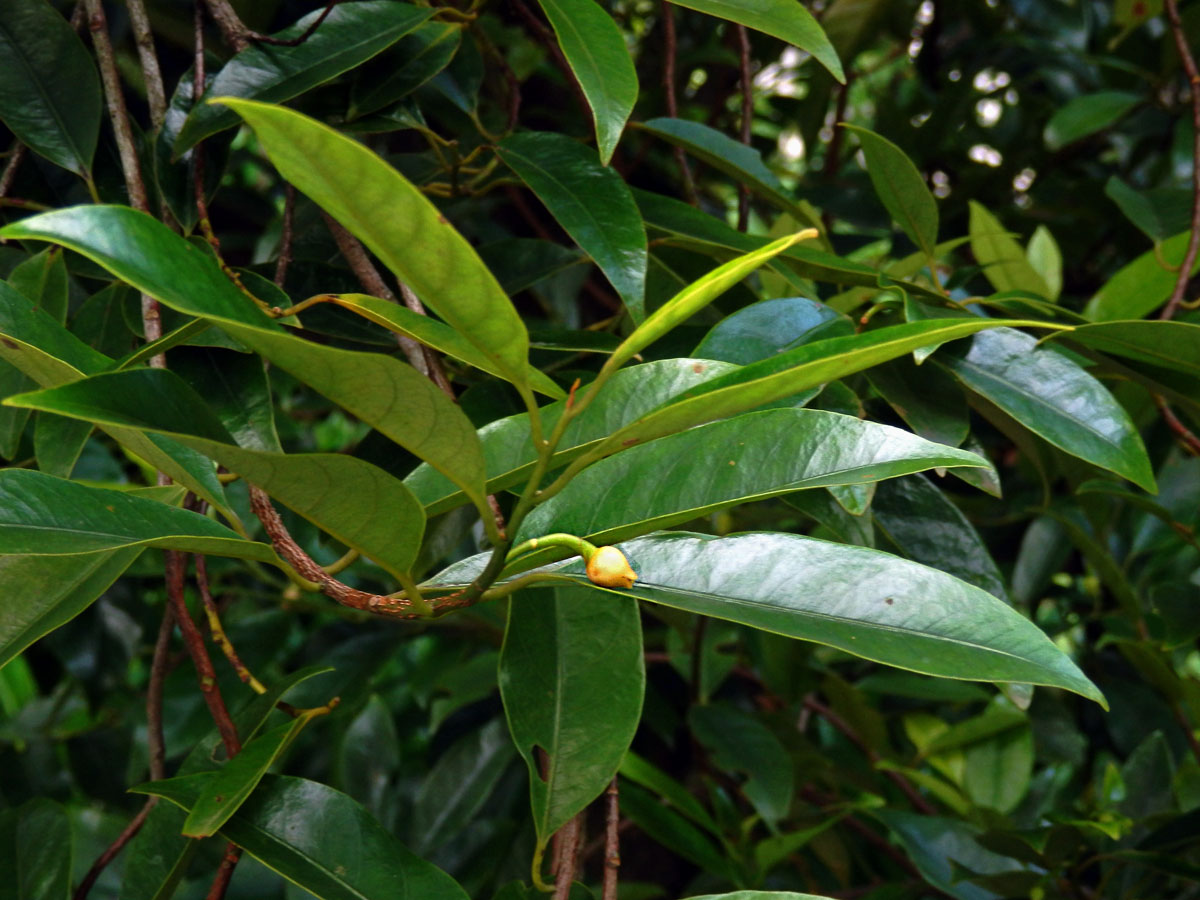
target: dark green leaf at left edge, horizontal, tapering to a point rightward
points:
(43, 515)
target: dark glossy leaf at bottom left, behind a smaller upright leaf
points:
(320, 841)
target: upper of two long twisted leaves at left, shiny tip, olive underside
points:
(385, 393)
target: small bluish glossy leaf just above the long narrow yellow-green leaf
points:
(771, 327)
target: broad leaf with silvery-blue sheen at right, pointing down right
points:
(1054, 398)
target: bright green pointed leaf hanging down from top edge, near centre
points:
(596, 51)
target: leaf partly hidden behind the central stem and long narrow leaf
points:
(508, 448)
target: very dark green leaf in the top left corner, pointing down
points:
(50, 92)
